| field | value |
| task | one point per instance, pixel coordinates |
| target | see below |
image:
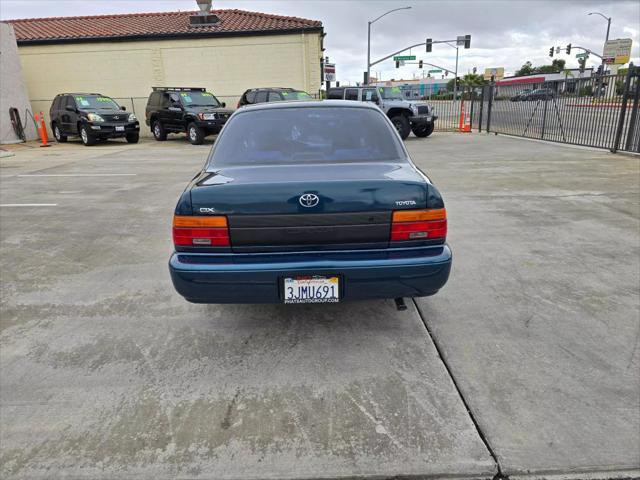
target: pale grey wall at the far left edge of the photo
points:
(13, 92)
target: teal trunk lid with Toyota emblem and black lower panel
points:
(302, 207)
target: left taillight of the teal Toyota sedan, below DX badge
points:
(200, 231)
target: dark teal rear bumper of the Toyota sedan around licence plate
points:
(256, 277)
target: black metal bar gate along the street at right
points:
(600, 111)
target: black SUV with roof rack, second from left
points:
(191, 110)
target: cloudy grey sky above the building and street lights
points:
(504, 33)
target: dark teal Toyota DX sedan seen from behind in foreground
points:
(303, 202)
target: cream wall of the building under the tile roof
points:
(126, 71)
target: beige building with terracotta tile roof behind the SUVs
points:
(123, 56)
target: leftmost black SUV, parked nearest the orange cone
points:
(93, 117)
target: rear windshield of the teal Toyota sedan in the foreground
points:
(306, 135)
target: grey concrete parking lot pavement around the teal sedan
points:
(526, 364)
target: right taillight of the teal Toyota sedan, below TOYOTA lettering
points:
(419, 225)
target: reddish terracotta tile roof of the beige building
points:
(152, 25)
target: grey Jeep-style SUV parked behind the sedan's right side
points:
(406, 116)
